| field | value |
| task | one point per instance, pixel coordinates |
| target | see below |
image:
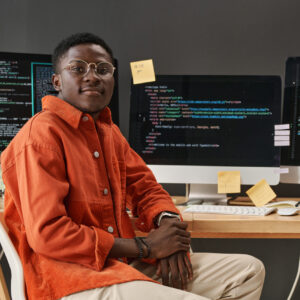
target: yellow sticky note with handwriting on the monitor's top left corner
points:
(142, 71)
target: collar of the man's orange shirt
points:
(69, 113)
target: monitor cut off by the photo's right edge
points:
(290, 156)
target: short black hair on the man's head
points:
(74, 40)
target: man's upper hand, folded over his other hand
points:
(169, 238)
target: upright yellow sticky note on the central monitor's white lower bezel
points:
(229, 182)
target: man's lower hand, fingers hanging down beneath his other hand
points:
(179, 267)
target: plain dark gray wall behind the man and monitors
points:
(251, 37)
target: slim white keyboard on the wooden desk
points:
(230, 210)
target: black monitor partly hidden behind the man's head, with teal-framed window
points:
(24, 80)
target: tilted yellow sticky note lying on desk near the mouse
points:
(261, 193)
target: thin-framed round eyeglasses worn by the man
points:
(104, 70)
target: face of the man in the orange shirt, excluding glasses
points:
(89, 93)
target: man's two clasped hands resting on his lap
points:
(169, 244)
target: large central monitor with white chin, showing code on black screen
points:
(187, 128)
